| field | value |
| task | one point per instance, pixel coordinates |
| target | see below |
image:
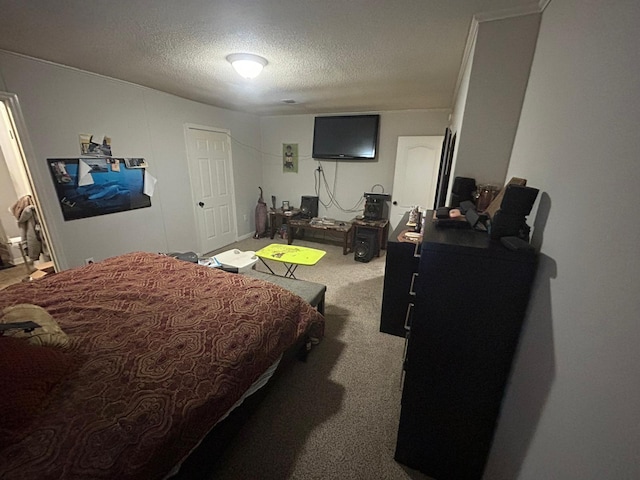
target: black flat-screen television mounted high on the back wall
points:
(346, 137)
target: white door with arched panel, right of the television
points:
(416, 175)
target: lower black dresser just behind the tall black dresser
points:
(401, 270)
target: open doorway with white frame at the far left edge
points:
(18, 183)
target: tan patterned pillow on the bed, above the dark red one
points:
(49, 332)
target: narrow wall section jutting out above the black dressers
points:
(492, 92)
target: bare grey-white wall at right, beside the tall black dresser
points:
(573, 407)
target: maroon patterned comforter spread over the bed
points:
(159, 350)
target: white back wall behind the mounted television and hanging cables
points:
(348, 180)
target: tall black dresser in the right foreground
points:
(471, 299)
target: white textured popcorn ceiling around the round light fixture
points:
(326, 55)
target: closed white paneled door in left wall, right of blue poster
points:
(211, 187)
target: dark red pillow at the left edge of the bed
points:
(28, 373)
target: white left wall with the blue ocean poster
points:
(59, 103)
